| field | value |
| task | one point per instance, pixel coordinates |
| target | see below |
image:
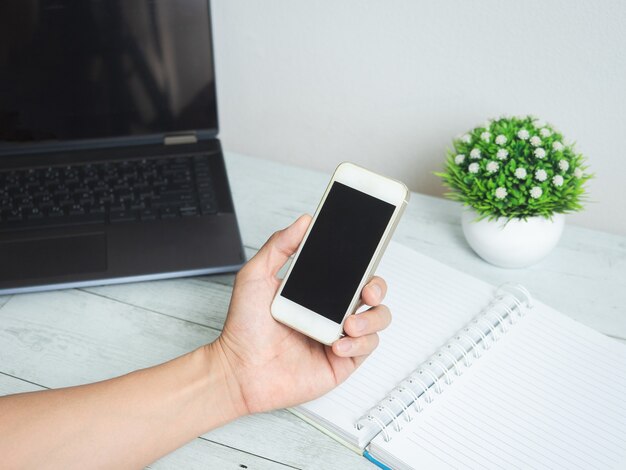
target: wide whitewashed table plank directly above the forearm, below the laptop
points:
(69, 337)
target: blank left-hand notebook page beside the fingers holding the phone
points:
(429, 302)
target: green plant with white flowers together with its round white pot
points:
(517, 177)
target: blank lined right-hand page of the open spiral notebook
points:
(550, 394)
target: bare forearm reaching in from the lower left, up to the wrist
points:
(126, 422)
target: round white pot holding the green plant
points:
(513, 244)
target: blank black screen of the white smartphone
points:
(337, 252)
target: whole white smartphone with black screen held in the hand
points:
(340, 252)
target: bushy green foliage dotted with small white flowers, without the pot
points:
(516, 167)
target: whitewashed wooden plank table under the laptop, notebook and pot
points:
(56, 339)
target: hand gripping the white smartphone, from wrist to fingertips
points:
(269, 365)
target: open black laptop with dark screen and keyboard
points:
(110, 166)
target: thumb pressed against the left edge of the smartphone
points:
(281, 245)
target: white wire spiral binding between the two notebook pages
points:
(422, 386)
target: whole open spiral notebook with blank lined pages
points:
(473, 376)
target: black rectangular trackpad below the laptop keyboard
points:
(48, 257)
